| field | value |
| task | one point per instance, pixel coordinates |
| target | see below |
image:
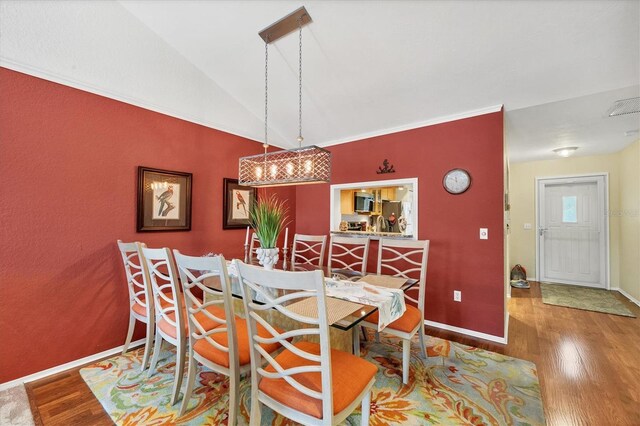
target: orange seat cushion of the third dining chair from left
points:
(213, 354)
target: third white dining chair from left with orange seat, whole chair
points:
(218, 339)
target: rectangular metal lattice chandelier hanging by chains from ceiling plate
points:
(303, 165)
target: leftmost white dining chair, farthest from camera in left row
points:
(140, 295)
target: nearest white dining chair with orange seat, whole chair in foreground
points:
(307, 382)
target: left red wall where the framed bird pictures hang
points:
(68, 171)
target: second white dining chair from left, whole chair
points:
(169, 308)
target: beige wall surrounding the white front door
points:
(522, 242)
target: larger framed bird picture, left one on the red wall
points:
(164, 200)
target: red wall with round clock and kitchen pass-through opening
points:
(458, 259)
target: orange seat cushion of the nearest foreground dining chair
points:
(350, 375)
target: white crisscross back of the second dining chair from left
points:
(166, 293)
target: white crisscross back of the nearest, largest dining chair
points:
(278, 288)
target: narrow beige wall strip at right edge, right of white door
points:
(630, 220)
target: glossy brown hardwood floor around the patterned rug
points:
(588, 364)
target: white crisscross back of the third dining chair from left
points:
(216, 292)
